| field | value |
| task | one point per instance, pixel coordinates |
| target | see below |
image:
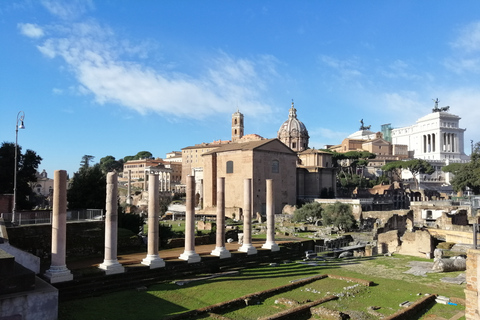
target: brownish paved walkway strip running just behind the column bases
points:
(168, 254)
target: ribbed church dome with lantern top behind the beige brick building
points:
(293, 132)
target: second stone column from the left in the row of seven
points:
(110, 263)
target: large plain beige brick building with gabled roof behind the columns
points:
(258, 160)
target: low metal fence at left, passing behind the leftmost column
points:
(45, 217)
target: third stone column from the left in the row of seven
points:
(153, 259)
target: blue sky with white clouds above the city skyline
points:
(118, 77)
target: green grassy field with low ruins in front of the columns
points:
(392, 287)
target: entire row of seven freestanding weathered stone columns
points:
(58, 271)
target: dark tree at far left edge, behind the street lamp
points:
(26, 173)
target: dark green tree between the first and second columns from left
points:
(87, 189)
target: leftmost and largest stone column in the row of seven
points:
(58, 271)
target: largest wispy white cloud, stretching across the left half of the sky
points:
(96, 58)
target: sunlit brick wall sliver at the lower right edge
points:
(471, 290)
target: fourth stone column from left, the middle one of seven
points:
(189, 254)
